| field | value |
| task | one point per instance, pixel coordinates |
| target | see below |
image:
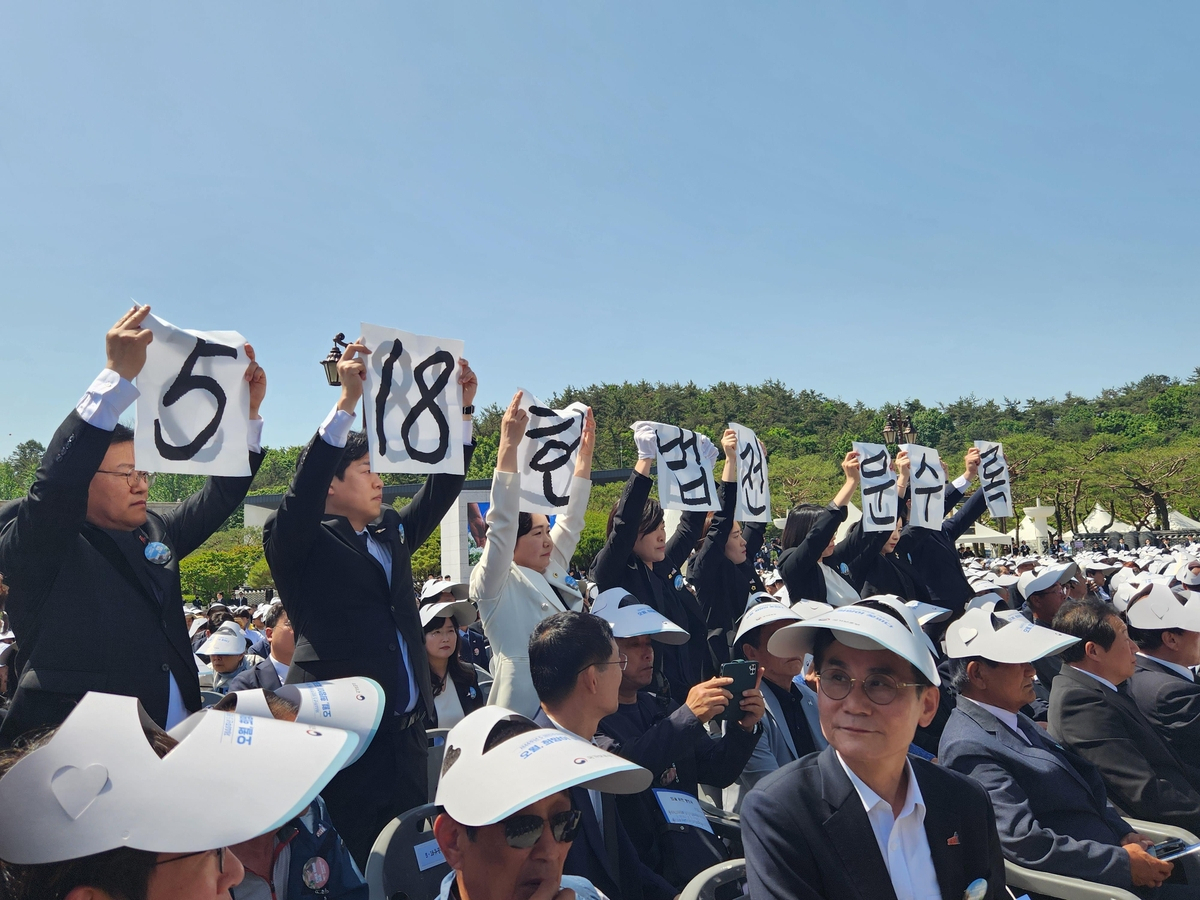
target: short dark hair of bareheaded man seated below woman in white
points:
(561, 647)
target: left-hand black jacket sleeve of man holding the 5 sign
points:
(38, 533)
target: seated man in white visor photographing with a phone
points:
(671, 740)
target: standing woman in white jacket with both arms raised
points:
(523, 579)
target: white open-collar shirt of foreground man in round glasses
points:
(903, 841)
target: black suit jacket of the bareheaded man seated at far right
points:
(1144, 777)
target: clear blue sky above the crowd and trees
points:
(874, 201)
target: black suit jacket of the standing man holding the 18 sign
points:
(337, 595)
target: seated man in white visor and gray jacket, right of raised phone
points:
(791, 728)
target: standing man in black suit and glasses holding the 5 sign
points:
(92, 571)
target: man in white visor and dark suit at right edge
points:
(1167, 631)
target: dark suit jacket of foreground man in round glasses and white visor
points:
(807, 835)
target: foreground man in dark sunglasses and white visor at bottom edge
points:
(508, 811)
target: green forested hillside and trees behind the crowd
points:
(1132, 449)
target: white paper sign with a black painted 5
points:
(194, 404)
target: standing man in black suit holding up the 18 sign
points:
(345, 575)
